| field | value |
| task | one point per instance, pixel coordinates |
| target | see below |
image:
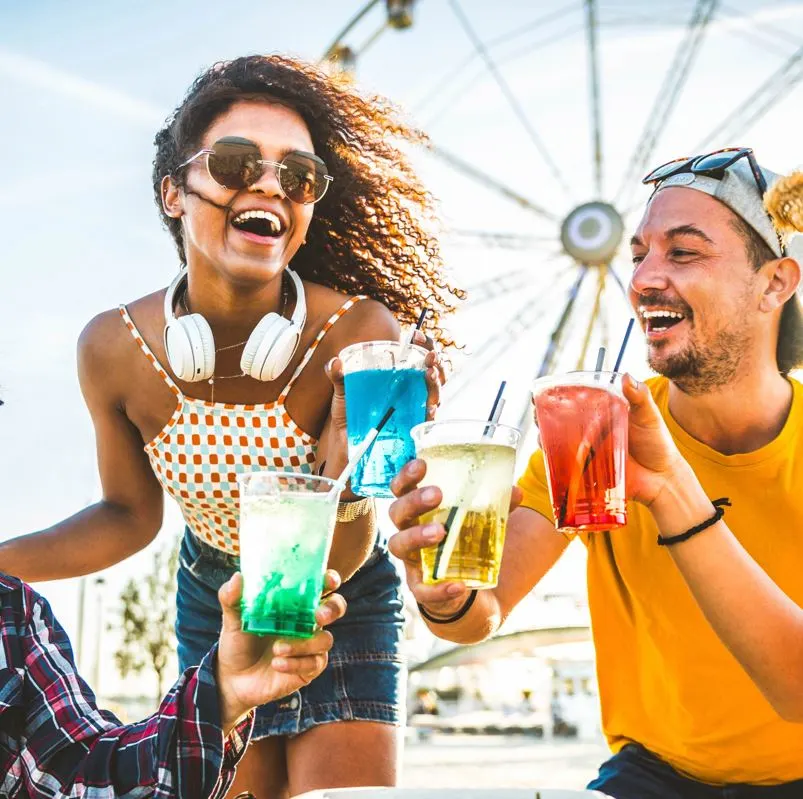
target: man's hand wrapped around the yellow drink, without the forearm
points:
(443, 599)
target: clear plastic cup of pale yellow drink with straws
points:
(473, 464)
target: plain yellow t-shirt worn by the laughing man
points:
(665, 679)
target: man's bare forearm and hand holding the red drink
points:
(759, 624)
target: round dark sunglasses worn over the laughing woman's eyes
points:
(235, 163)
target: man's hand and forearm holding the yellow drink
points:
(532, 547)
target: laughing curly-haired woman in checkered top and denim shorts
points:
(267, 164)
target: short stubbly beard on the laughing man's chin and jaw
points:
(696, 371)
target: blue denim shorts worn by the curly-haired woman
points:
(365, 678)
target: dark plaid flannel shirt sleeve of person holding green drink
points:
(55, 742)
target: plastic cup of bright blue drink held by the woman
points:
(372, 386)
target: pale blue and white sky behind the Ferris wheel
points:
(85, 85)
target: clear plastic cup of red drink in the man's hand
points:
(582, 419)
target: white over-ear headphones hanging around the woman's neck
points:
(190, 346)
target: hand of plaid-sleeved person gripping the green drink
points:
(252, 670)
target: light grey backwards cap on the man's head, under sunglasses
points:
(737, 188)
